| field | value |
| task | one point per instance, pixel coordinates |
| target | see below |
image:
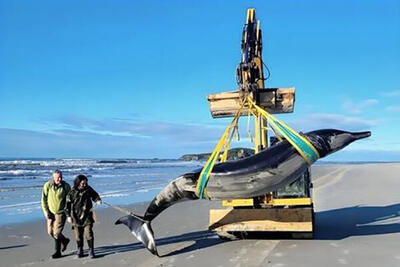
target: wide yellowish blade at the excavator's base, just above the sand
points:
(283, 220)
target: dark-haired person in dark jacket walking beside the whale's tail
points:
(79, 212)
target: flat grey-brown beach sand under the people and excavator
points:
(357, 224)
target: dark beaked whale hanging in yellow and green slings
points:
(249, 177)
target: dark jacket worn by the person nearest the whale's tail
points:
(79, 205)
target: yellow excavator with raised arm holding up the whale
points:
(288, 209)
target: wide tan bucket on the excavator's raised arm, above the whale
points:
(274, 100)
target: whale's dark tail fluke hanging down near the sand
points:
(141, 229)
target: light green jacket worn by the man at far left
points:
(54, 197)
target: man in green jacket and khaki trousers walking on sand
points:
(54, 195)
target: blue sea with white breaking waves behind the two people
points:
(118, 182)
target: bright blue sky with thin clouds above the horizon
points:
(130, 78)
